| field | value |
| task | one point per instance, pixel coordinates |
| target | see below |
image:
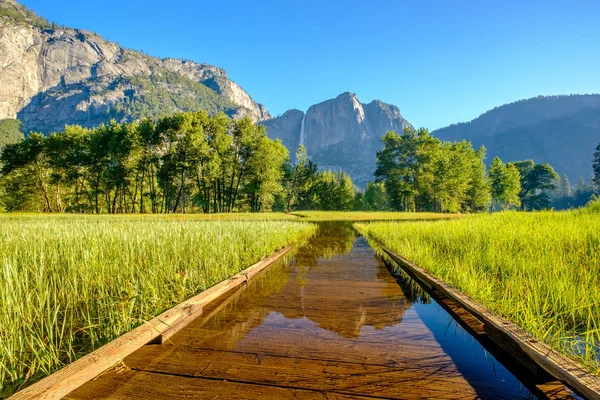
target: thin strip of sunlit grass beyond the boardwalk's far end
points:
(370, 215)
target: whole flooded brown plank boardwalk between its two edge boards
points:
(328, 322)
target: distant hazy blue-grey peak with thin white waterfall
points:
(340, 133)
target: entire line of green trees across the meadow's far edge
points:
(193, 162)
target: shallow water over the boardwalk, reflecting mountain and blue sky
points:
(334, 307)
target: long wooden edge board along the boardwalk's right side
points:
(553, 362)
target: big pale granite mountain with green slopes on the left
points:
(51, 76)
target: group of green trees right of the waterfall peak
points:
(418, 172)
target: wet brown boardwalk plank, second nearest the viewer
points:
(402, 380)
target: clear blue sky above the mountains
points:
(440, 62)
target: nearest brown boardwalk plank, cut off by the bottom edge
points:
(129, 384)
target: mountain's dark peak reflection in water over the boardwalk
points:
(343, 294)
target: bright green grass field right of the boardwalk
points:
(540, 270)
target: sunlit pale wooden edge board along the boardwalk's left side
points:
(69, 378)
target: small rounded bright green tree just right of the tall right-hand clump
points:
(505, 184)
